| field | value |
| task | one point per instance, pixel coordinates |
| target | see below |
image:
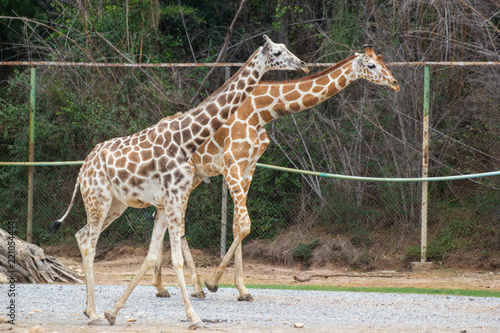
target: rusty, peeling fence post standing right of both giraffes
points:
(425, 166)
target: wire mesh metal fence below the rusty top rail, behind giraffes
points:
(363, 131)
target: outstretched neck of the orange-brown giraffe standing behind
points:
(273, 100)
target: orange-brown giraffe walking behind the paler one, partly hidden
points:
(234, 149)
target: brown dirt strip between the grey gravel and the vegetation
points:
(119, 266)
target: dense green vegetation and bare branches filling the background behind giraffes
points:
(366, 130)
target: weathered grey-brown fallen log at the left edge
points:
(27, 263)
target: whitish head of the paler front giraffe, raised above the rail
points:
(278, 57)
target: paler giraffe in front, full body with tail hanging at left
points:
(151, 168)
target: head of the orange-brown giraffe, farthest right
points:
(371, 67)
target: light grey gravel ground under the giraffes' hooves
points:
(59, 307)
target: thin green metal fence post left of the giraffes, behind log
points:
(31, 169)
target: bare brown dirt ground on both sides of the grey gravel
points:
(118, 266)
